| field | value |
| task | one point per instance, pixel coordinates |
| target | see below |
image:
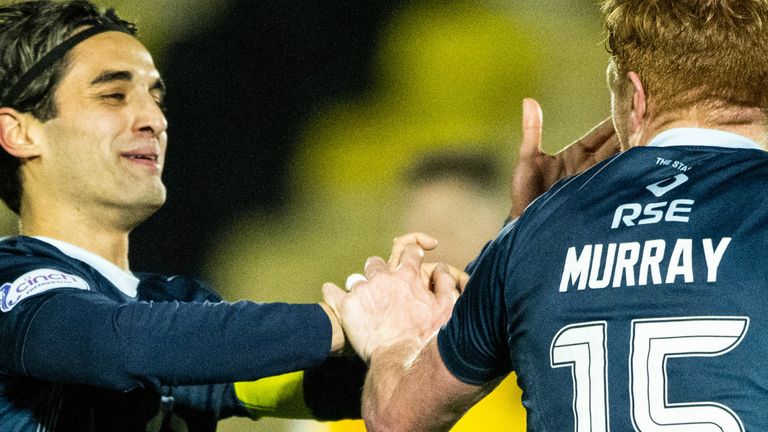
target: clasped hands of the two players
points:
(396, 301)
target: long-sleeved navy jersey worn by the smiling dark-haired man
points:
(83, 350)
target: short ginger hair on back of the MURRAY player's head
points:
(692, 53)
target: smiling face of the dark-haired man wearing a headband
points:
(104, 151)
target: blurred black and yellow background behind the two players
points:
(295, 128)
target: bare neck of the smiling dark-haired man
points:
(75, 228)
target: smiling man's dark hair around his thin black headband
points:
(28, 30)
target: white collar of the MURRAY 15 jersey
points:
(702, 137)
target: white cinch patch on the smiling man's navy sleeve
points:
(36, 282)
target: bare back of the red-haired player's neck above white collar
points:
(748, 122)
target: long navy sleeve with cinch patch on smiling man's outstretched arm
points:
(77, 335)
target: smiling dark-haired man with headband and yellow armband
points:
(88, 345)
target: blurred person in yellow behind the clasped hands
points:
(456, 196)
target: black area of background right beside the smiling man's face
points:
(239, 92)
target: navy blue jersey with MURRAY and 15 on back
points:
(633, 296)
